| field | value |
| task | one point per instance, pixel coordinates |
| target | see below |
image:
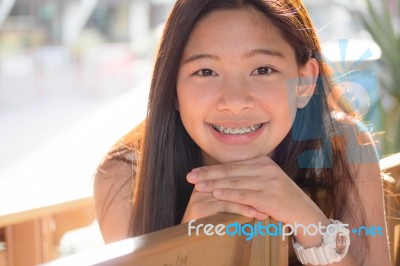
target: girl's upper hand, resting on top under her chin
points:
(261, 184)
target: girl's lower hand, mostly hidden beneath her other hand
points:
(204, 204)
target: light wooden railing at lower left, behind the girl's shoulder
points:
(32, 236)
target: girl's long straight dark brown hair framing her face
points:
(167, 153)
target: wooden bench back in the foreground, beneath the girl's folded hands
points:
(173, 246)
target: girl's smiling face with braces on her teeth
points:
(237, 86)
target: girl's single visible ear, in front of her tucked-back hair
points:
(307, 82)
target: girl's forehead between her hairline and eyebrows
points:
(238, 28)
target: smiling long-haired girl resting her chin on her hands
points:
(243, 118)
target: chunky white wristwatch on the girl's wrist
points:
(336, 242)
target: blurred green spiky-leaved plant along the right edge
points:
(382, 21)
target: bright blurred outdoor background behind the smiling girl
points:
(74, 77)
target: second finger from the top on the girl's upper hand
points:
(241, 182)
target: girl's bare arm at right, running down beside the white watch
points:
(369, 184)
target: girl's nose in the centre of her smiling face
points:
(235, 97)
